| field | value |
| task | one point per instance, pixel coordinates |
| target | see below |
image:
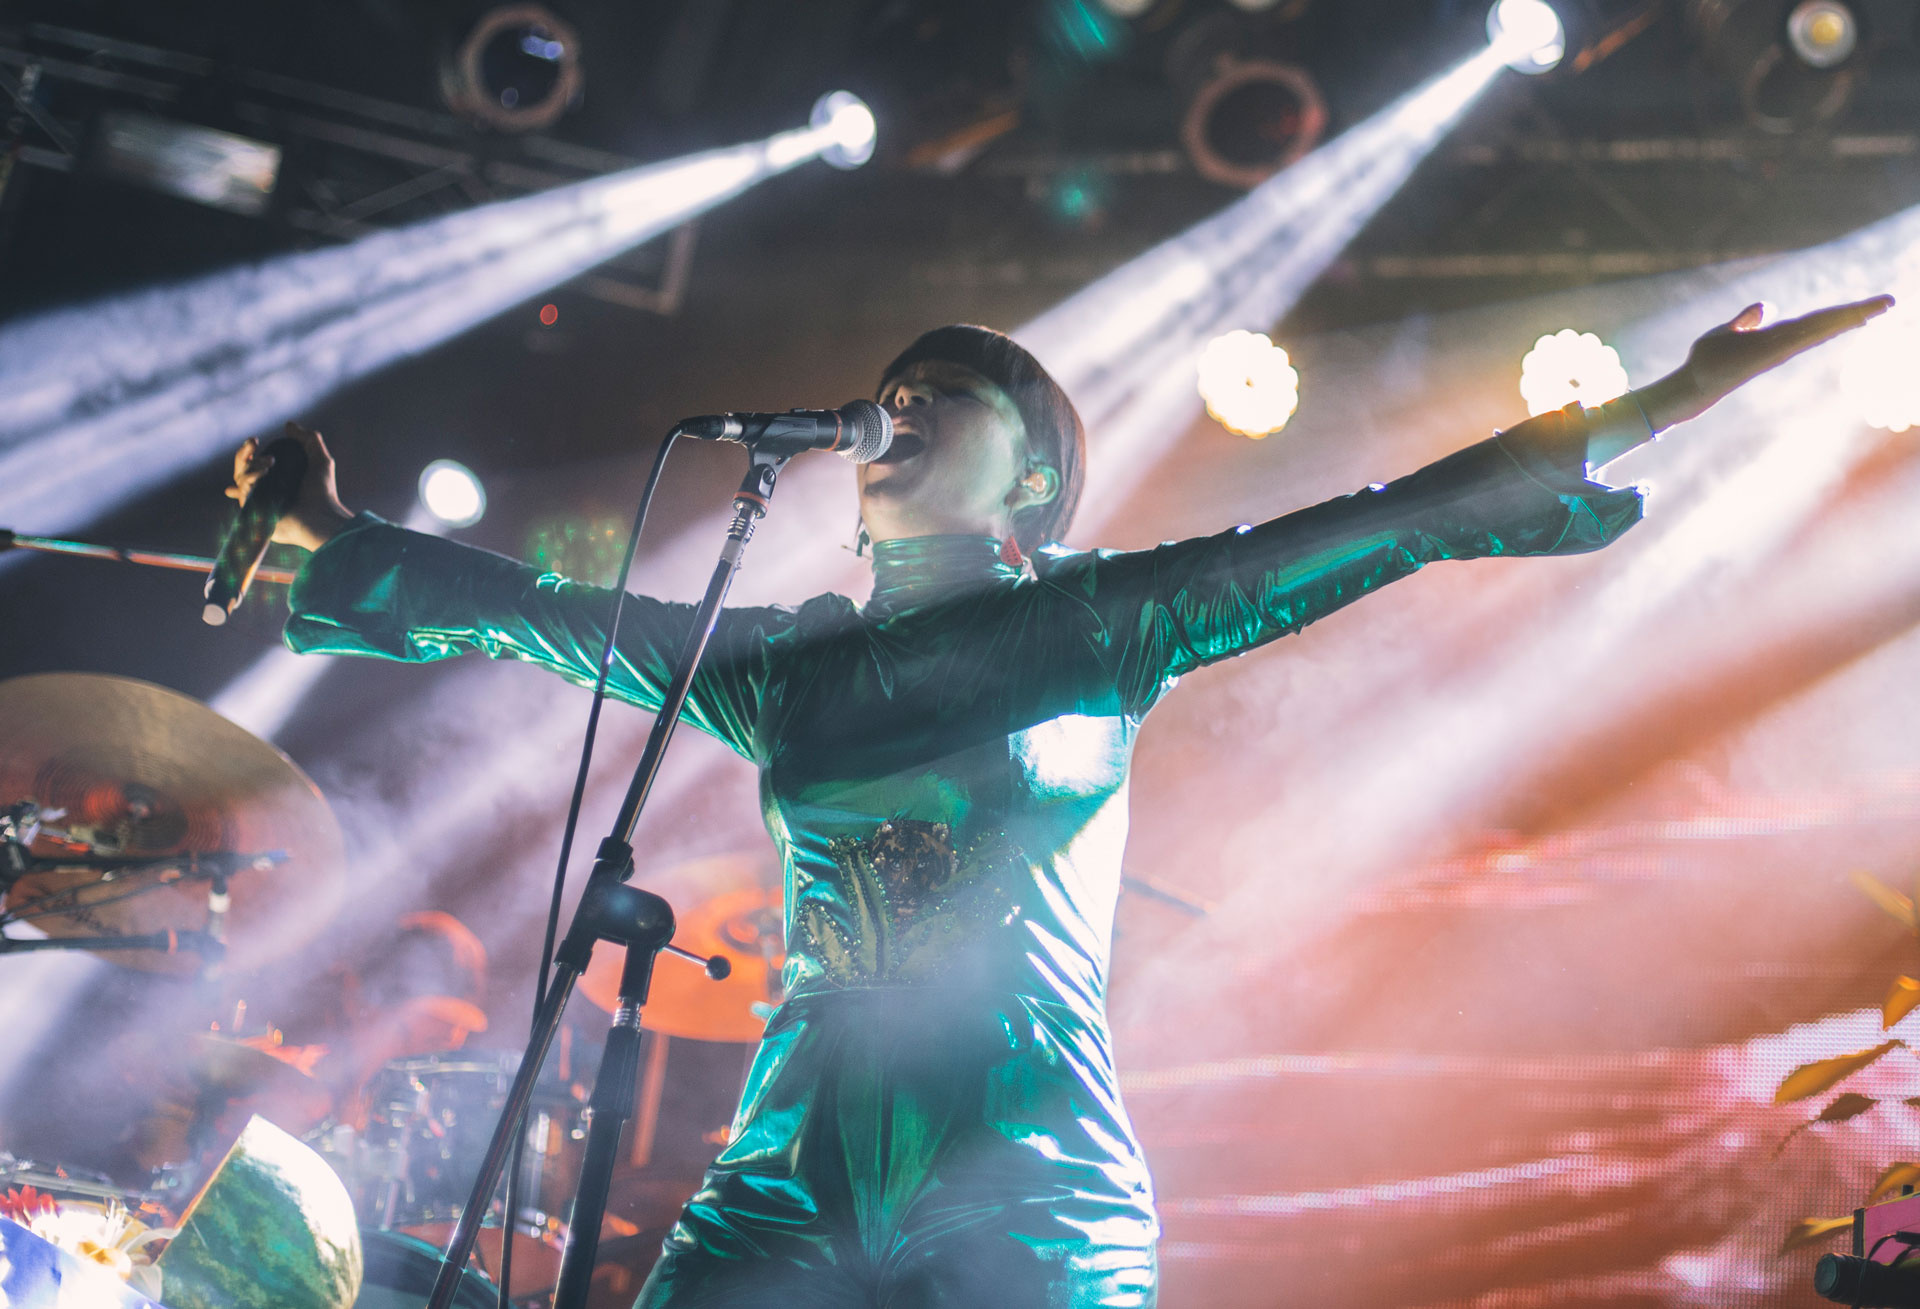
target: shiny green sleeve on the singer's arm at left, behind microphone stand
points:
(395, 594)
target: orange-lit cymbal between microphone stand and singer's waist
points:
(744, 926)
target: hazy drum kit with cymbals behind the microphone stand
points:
(141, 826)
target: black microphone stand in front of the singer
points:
(612, 911)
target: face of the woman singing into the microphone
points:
(959, 460)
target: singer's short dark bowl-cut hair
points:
(1055, 431)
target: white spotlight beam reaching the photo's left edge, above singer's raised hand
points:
(103, 402)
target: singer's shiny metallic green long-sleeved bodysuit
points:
(934, 1114)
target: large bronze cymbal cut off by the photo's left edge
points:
(149, 773)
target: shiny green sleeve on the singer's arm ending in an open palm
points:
(1178, 607)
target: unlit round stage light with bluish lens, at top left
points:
(516, 70)
